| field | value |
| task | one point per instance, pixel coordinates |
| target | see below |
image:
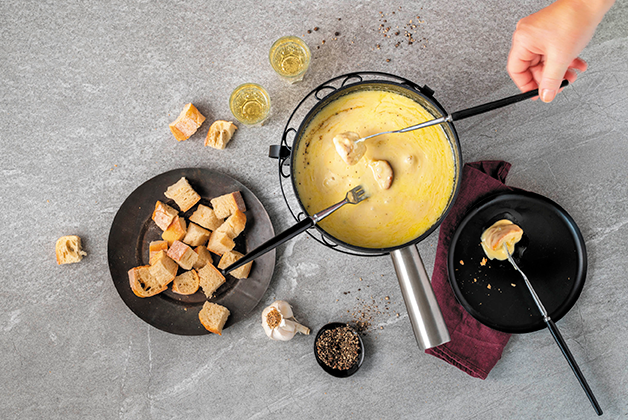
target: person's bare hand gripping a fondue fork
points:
(546, 44)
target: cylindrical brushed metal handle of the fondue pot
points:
(425, 315)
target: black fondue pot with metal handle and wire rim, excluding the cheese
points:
(423, 310)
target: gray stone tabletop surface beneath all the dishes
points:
(87, 92)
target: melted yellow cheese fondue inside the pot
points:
(422, 163)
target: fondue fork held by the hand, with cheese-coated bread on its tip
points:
(350, 146)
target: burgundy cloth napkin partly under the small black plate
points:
(474, 348)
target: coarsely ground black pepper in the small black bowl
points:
(339, 348)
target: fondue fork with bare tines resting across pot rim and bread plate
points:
(353, 196)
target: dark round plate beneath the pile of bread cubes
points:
(133, 229)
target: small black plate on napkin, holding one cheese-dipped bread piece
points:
(551, 254)
